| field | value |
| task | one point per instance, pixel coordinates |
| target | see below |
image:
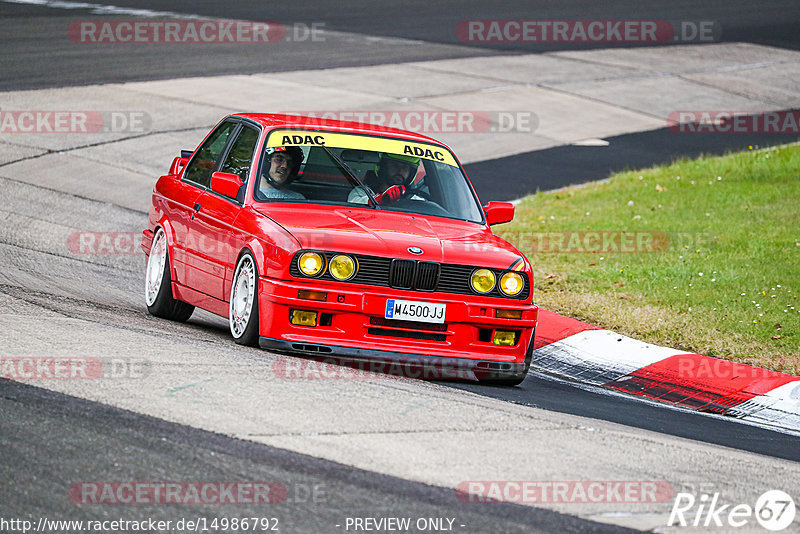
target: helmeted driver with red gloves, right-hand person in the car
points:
(391, 178)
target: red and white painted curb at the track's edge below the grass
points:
(577, 350)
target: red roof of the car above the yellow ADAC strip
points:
(273, 121)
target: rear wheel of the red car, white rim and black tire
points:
(158, 289)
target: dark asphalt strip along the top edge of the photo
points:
(368, 33)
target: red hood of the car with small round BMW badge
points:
(390, 234)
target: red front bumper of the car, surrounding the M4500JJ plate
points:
(351, 324)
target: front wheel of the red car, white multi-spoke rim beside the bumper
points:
(243, 305)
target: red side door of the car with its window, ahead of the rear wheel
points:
(219, 241)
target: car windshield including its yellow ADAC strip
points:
(335, 169)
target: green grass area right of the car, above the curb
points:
(735, 219)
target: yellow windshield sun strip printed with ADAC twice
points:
(361, 142)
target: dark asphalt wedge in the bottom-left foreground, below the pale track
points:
(320, 493)
